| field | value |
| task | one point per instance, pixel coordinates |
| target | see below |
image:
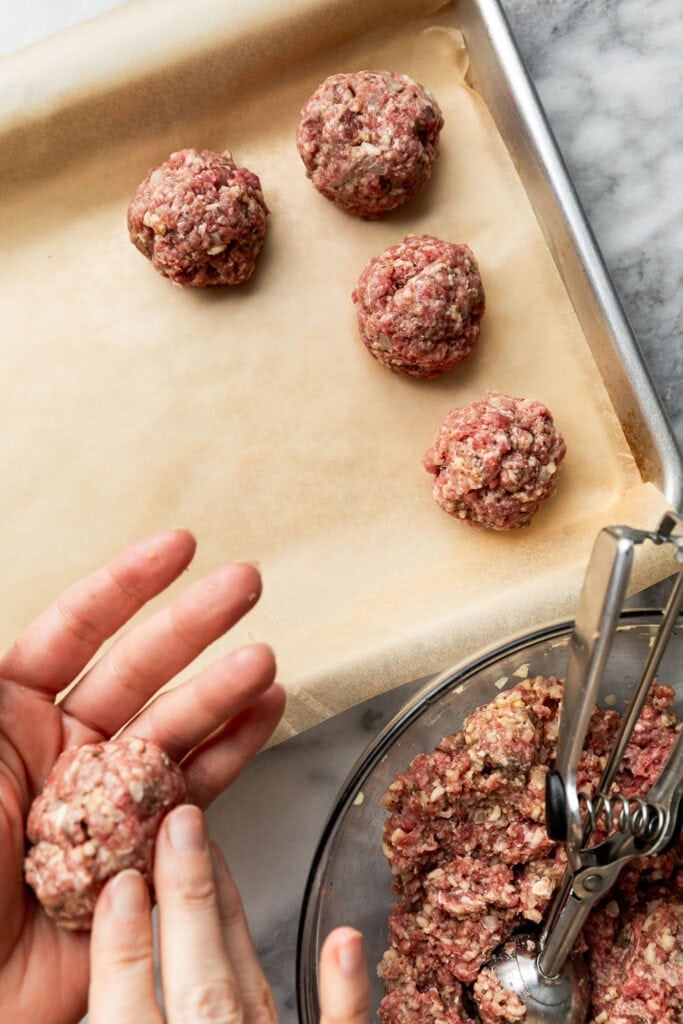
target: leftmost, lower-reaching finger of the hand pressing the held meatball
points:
(122, 986)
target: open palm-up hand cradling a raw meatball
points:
(211, 726)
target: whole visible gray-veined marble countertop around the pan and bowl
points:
(609, 76)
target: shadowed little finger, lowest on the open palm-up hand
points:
(214, 765)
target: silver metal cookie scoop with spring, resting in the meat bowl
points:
(542, 971)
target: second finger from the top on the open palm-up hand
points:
(150, 656)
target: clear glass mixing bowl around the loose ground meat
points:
(351, 881)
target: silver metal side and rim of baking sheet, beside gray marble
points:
(497, 72)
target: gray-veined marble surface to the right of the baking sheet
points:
(610, 74)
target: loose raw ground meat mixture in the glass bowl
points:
(473, 864)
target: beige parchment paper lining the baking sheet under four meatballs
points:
(254, 416)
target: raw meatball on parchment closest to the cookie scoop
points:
(495, 461)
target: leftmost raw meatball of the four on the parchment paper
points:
(200, 220)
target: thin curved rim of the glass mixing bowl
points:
(374, 752)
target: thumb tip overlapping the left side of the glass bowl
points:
(345, 983)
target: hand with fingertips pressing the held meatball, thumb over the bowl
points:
(209, 968)
